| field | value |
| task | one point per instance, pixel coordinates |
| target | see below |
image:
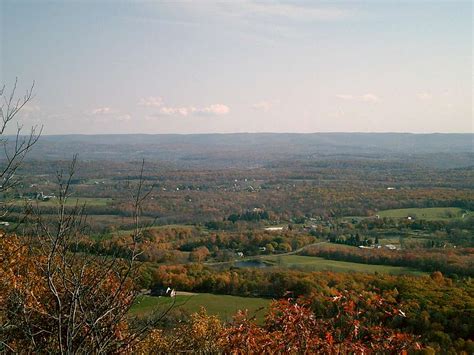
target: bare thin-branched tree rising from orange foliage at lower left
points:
(89, 296)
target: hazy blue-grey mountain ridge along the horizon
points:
(248, 149)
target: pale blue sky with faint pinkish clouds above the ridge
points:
(240, 66)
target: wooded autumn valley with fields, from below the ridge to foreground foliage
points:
(389, 241)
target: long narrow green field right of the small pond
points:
(313, 263)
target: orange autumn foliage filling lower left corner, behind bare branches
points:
(45, 307)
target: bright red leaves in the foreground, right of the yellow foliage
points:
(292, 327)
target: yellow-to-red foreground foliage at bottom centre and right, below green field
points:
(292, 327)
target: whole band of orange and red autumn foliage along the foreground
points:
(36, 317)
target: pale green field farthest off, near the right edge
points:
(435, 213)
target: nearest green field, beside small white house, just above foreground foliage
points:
(224, 306)
